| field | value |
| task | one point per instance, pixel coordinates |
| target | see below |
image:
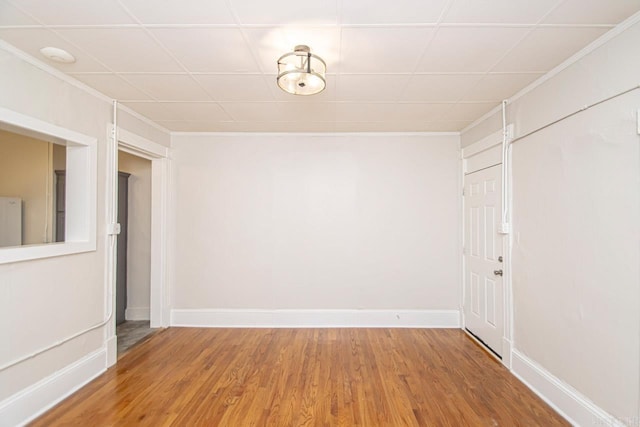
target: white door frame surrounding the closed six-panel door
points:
(480, 155)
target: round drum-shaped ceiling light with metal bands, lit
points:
(301, 73)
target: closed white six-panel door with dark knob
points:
(484, 302)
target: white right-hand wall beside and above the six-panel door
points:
(576, 205)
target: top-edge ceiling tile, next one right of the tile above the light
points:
(392, 12)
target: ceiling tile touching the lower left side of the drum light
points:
(235, 87)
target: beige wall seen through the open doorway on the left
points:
(139, 235)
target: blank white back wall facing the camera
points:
(316, 222)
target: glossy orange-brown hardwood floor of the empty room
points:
(305, 377)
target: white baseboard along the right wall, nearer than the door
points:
(567, 401)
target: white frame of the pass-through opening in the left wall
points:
(81, 182)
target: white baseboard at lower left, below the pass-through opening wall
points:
(31, 402)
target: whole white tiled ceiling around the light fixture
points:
(392, 65)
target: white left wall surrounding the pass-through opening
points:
(47, 300)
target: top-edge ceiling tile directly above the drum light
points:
(287, 12)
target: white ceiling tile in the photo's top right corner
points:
(593, 12)
